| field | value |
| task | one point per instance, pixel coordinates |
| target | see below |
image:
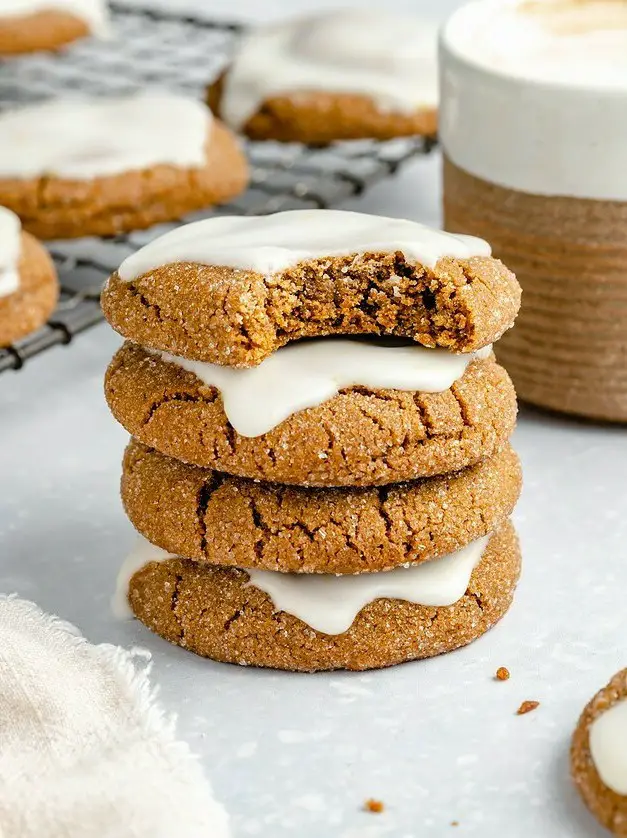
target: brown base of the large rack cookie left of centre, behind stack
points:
(52, 207)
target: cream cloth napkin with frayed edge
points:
(85, 752)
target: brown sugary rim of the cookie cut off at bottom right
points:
(605, 804)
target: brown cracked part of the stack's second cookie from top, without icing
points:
(360, 437)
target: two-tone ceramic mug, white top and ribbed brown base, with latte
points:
(533, 128)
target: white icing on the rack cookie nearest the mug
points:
(391, 59)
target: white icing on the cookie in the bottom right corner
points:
(608, 746)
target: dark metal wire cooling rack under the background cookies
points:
(178, 53)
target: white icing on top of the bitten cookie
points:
(271, 243)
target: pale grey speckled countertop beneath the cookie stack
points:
(437, 741)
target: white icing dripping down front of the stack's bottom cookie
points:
(330, 603)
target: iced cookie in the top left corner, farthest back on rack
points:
(33, 25)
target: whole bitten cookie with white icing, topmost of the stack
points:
(233, 290)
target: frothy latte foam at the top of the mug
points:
(571, 42)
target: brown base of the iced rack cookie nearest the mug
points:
(320, 118)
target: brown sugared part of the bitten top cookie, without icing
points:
(239, 318)
